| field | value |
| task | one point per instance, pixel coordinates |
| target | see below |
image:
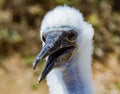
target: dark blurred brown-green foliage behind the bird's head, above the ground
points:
(20, 21)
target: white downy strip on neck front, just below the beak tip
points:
(54, 79)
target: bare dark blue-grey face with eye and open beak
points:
(59, 47)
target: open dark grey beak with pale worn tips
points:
(55, 41)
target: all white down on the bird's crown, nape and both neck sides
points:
(69, 16)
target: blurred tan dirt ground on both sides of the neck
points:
(18, 78)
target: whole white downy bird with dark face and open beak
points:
(67, 47)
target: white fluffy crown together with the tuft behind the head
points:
(67, 16)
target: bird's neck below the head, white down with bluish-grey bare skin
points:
(75, 78)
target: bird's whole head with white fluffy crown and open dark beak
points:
(63, 33)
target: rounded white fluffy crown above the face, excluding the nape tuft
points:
(62, 15)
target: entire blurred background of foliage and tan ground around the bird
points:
(20, 21)
